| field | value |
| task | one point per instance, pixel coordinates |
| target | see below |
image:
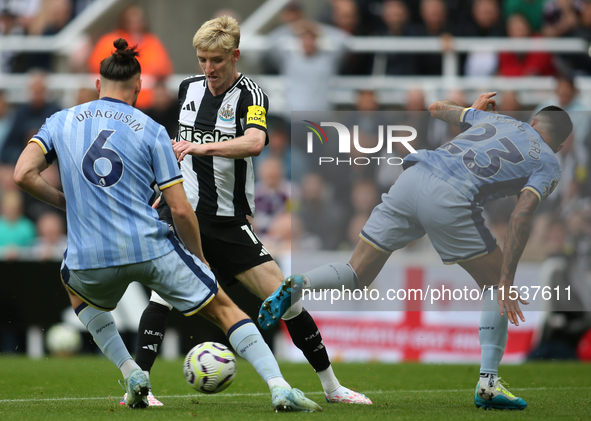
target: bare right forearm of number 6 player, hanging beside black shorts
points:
(184, 219)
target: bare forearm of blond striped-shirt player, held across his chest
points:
(251, 144)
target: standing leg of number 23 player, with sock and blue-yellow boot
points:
(486, 271)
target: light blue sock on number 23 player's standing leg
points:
(492, 333)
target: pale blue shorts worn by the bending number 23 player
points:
(420, 202)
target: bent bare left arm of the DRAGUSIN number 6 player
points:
(27, 175)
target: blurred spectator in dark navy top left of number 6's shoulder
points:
(28, 118)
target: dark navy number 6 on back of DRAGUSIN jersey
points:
(102, 166)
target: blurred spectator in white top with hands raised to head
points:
(308, 62)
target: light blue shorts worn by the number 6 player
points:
(179, 277)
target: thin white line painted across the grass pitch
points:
(373, 392)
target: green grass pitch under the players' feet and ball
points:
(86, 389)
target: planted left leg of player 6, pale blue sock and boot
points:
(101, 325)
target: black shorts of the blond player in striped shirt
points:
(229, 244)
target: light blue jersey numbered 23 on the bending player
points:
(494, 157)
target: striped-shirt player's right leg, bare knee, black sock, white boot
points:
(264, 279)
